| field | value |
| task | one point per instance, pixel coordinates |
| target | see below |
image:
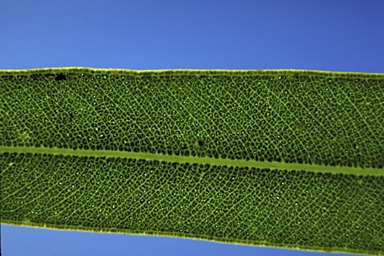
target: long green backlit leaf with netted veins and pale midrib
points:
(280, 158)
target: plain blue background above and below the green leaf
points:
(198, 34)
